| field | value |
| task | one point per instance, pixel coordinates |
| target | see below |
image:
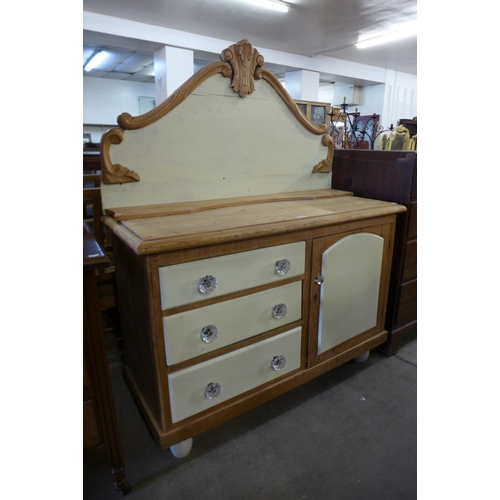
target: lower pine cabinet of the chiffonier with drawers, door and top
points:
(213, 328)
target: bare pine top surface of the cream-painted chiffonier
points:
(185, 225)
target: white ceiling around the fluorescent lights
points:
(311, 27)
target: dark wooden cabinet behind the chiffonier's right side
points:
(389, 176)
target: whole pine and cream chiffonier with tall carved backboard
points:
(241, 274)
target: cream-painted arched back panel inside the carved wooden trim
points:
(215, 144)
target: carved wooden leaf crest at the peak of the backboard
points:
(244, 59)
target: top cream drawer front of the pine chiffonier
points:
(234, 272)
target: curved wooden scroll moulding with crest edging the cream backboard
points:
(240, 62)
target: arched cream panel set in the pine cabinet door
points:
(349, 294)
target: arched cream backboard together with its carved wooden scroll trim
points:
(200, 120)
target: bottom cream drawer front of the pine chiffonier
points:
(236, 372)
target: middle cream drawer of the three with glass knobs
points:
(235, 320)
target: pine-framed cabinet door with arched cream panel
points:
(349, 304)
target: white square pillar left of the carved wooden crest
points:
(173, 67)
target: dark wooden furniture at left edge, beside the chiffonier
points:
(101, 436)
